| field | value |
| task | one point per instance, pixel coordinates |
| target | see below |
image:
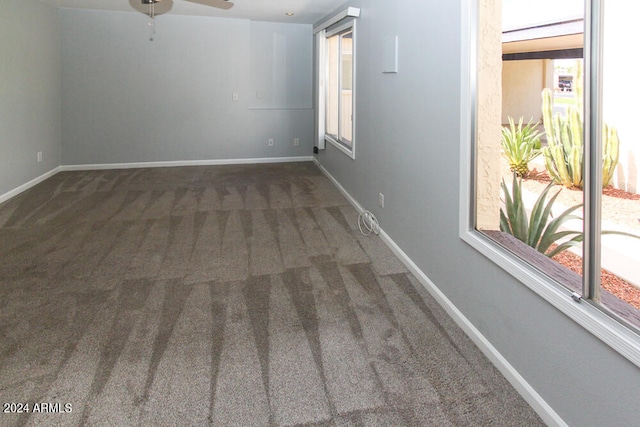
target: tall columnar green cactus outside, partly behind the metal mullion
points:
(563, 155)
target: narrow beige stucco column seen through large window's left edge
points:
(489, 107)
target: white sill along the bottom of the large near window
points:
(618, 336)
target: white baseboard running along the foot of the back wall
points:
(164, 164)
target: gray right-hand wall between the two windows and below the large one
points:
(408, 127)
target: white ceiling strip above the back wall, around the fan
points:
(305, 11)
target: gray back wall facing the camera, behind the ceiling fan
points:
(127, 99)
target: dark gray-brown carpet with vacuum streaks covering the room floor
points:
(229, 295)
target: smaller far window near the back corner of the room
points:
(339, 88)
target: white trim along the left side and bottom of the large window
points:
(622, 339)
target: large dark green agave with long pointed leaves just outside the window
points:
(540, 229)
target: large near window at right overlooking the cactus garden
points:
(565, 78)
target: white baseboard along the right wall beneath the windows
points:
(528, 393)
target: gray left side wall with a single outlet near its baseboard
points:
(29, 91)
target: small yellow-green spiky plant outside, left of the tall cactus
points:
(520, 145)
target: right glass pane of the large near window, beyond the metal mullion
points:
(620, 255)
